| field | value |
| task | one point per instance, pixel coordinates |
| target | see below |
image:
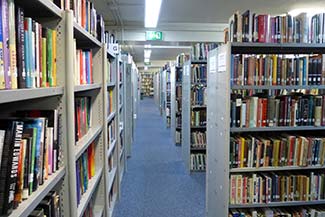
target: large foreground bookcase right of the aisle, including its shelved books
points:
(222, 168)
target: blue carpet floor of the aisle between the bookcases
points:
(156, 183)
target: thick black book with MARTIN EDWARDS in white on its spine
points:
(9, 164)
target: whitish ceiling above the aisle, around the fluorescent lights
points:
(122, 15)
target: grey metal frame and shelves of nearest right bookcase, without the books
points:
(218, 132)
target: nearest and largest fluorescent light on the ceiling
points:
(152, 12)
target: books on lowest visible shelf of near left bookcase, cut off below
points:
(48, 207)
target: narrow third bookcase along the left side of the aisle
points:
(110, 127)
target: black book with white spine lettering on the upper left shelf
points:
(20, 46)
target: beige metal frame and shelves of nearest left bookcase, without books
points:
(45, 98)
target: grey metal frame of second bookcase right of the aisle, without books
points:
(187, 108)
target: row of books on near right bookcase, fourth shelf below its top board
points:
(268, 188)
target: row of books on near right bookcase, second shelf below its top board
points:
(294, 109)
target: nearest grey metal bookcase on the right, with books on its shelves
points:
(224, 134)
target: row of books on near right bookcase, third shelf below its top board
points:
(285, 150)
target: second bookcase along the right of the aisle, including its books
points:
(193, 116)
